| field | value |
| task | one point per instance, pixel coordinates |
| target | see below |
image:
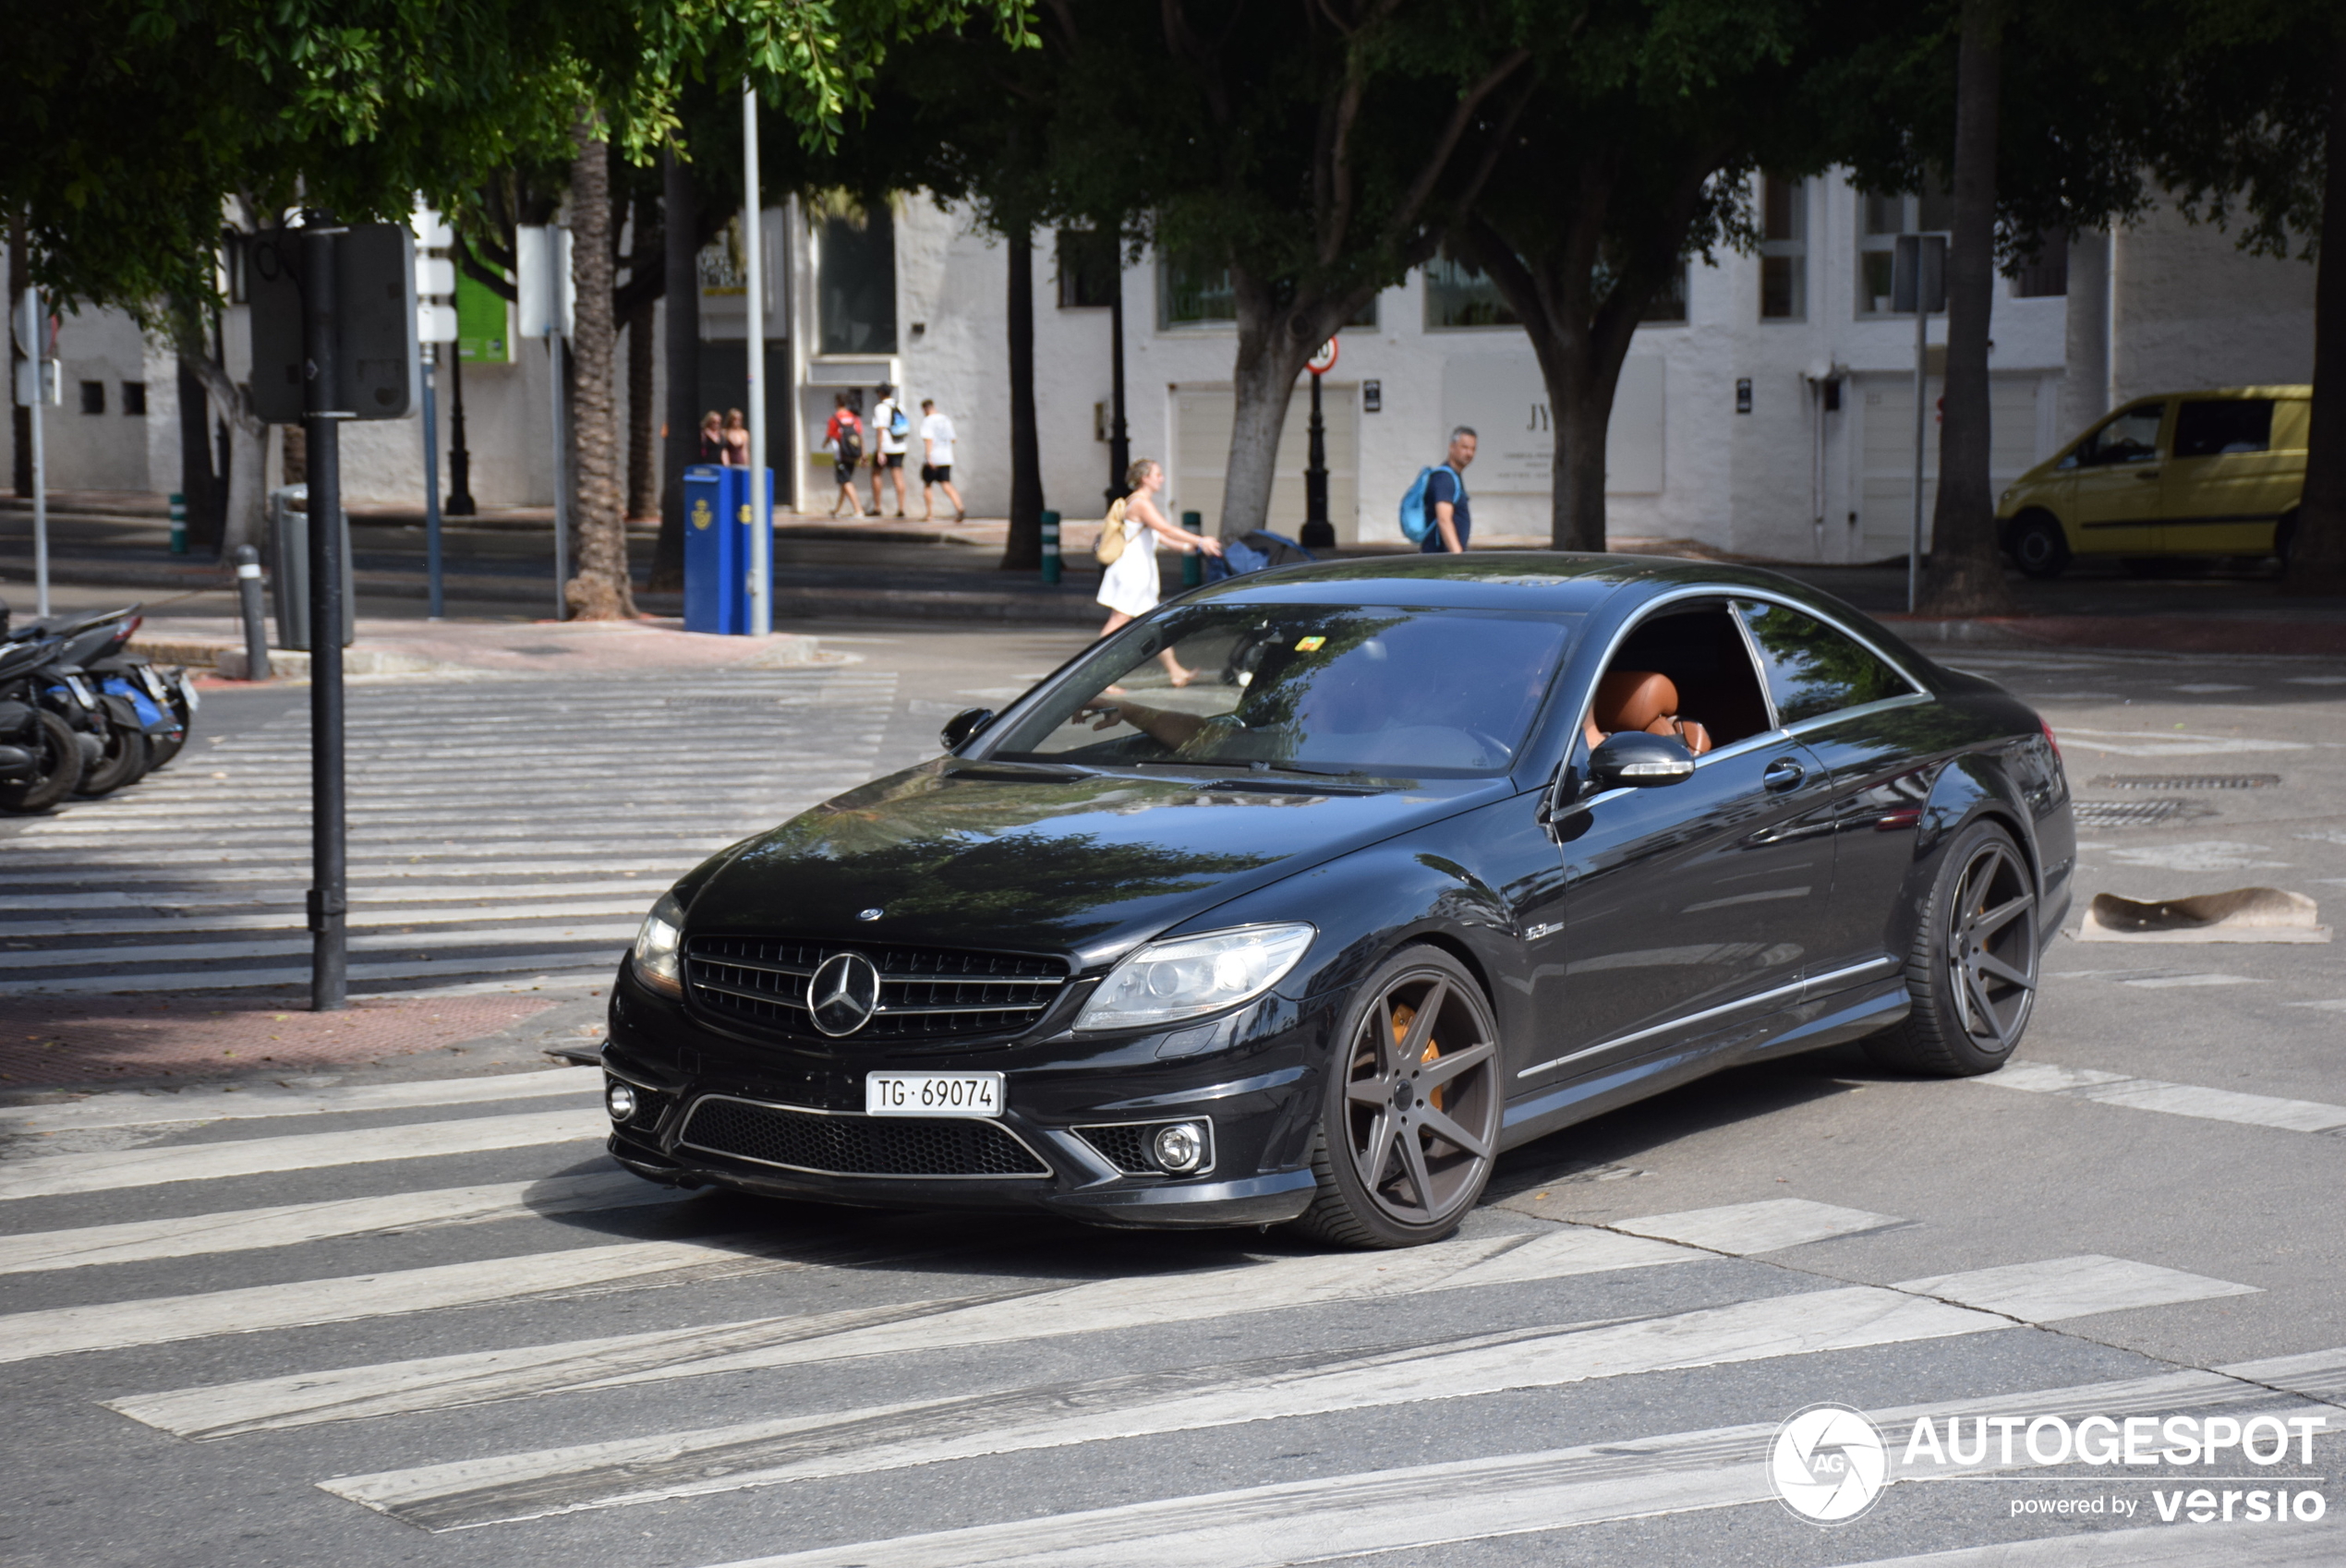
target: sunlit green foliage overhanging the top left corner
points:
(135, 128)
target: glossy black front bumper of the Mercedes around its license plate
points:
(1256, 1077)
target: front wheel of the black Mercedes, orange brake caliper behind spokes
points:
(1411, 1107)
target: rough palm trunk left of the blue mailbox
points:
(602, 589)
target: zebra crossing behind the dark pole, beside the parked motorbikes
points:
(503, 831)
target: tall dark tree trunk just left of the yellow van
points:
(1967, 575)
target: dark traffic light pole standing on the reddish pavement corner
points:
(330, 868)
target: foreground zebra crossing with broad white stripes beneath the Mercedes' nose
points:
(426, 1323)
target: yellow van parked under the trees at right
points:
(2181, 475)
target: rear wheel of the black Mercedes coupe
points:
(1972, 974)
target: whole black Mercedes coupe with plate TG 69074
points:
(1317, 889)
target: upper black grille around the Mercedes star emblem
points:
(925, 993)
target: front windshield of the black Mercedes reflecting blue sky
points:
(1315, 688)
